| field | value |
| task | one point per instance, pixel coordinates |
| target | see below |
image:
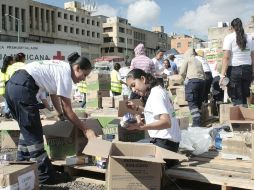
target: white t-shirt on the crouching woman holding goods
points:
(159, 103)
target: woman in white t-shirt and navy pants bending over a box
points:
(55, 77)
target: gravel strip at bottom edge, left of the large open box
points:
(73, 185)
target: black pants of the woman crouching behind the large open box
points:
(169, 145)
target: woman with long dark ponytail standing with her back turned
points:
(238, 63)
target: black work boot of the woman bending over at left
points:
(58, 178)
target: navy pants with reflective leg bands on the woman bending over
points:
(21, 93)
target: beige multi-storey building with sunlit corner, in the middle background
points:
(120, 38)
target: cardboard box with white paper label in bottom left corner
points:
(19, 175)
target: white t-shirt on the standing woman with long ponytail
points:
(238, 57)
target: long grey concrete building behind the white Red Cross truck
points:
(44, 23)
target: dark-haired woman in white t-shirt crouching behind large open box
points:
(160, 119)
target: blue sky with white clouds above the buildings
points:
(192, 17)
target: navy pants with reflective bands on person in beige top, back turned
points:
(194, 95)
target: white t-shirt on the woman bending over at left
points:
(52, 76)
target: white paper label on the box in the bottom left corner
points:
(26, 181)
